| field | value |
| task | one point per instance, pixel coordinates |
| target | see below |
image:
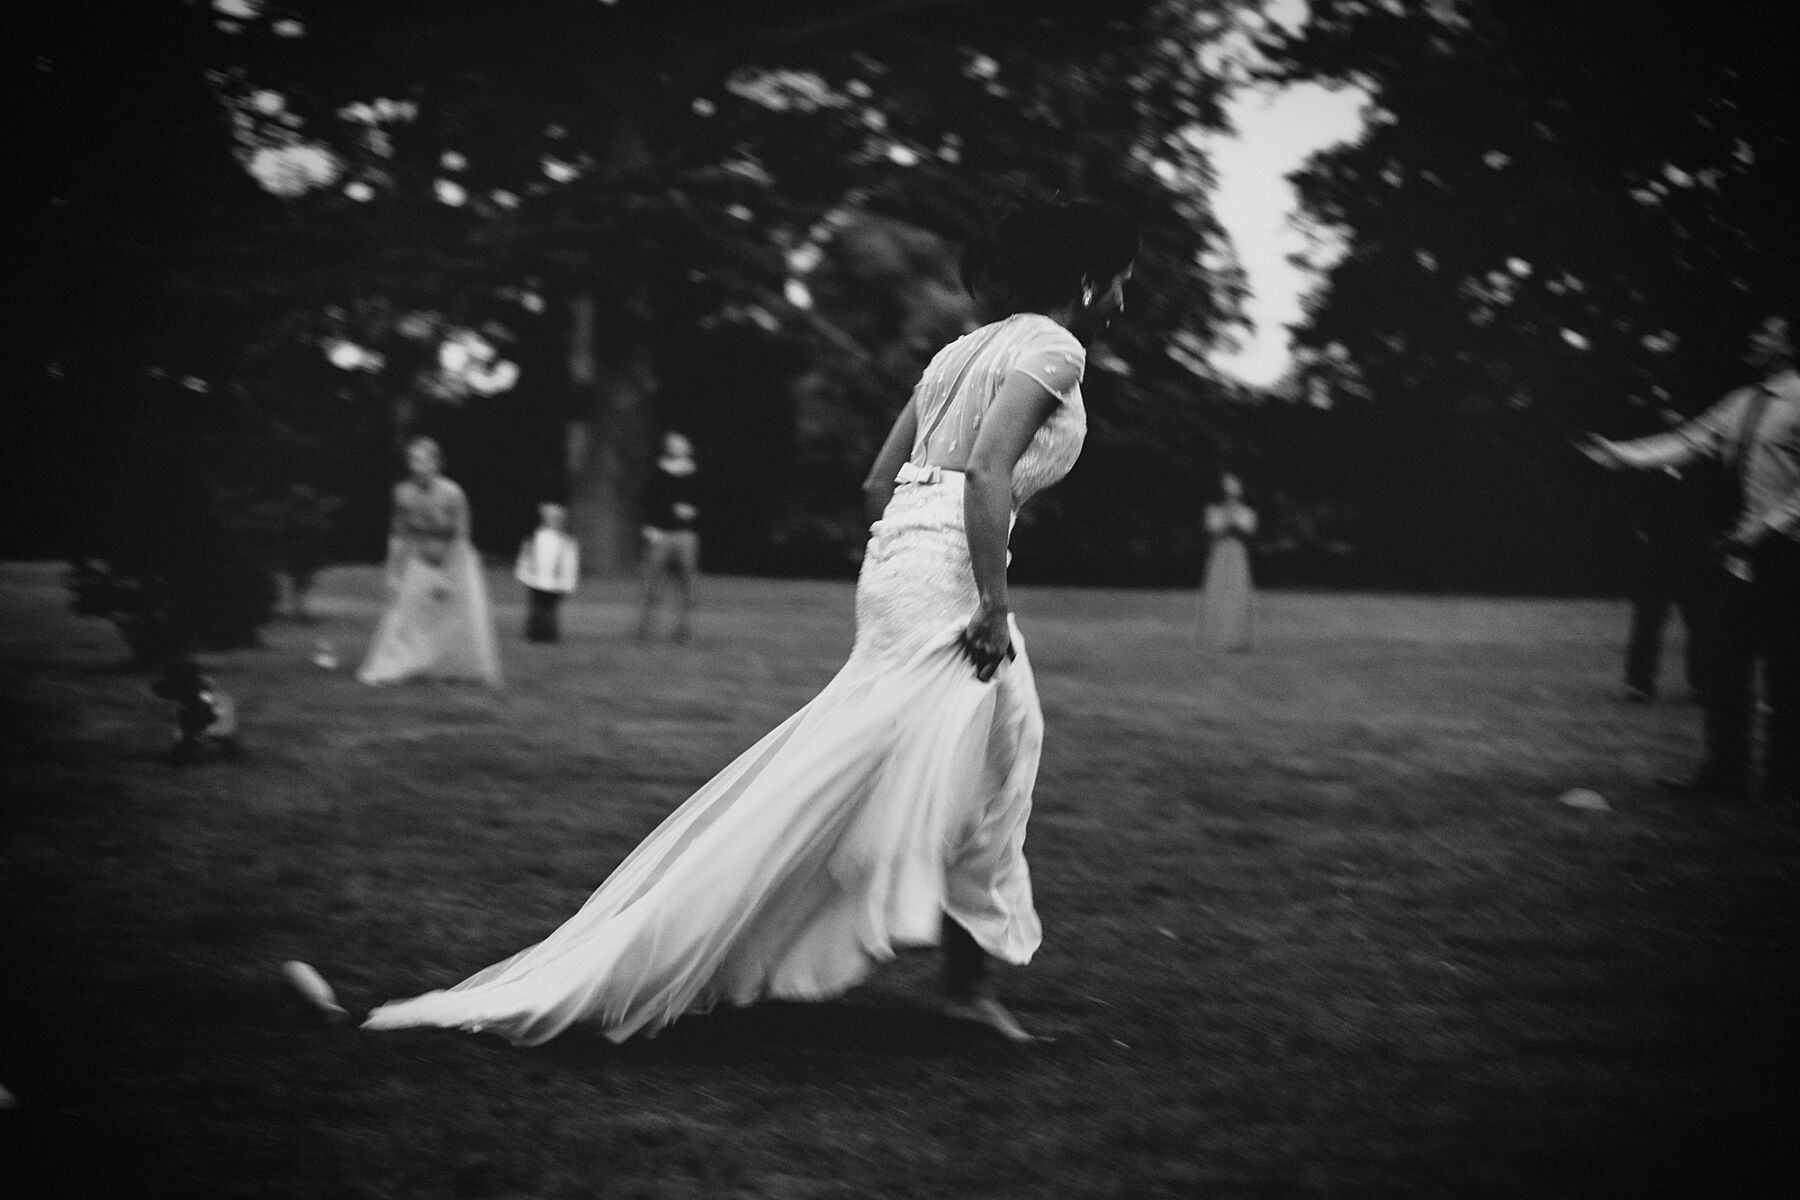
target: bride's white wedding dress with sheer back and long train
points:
(899, 794)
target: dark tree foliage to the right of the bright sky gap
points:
(1561, 219)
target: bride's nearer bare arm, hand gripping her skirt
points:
(1007, 429)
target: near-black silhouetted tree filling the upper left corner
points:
(116, 152)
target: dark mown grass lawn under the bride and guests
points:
(1317, 924)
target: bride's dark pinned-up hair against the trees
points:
(1039, 253)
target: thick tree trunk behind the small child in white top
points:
(611, 442)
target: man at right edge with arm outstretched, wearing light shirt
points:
(1754, 595)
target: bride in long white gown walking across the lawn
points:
(892, 809)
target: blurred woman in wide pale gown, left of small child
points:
(438, 623)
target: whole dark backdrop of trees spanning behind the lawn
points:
(544, 233)
